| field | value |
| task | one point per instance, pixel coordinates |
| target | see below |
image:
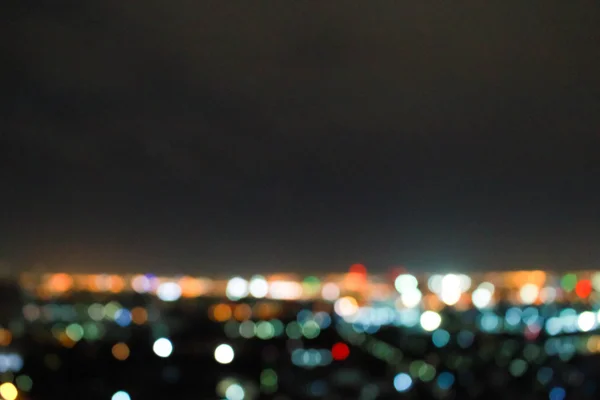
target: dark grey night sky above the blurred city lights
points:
(297, 135)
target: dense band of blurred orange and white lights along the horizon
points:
(433, 291)
